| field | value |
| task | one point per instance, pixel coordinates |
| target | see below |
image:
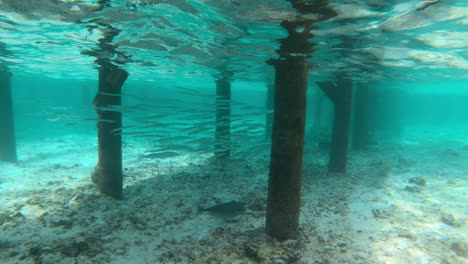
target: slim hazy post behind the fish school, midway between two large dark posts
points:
(223, 119)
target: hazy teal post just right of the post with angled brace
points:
(361, 117)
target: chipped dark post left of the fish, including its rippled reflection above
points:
(108, 172)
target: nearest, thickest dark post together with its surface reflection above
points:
(291, 74)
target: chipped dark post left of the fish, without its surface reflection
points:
(108, 172)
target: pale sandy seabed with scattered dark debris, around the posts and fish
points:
(398, 203)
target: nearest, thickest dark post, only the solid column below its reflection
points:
(284, 186)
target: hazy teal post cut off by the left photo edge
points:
(7, 129)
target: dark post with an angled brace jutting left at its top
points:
(341, 96)
